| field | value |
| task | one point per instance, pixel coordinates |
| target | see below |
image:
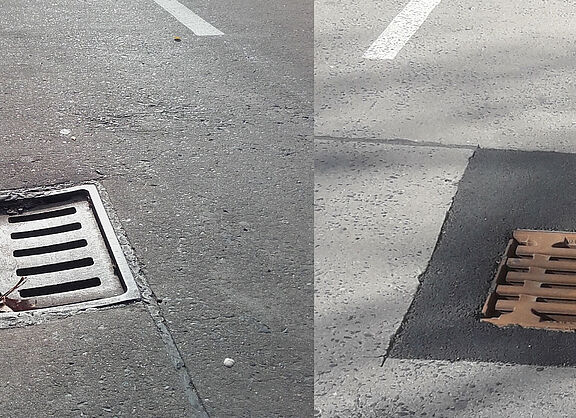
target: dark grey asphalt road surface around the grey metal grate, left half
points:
(203, 145)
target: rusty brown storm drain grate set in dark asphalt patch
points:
(535, 285)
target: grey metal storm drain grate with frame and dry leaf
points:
(63, 243)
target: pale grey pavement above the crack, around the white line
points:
(492, 74)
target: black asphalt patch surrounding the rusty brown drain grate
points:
(501, 191)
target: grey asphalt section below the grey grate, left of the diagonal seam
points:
(106, 363)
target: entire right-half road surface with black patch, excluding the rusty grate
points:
(441, 126)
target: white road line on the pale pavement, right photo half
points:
(400, 30)
